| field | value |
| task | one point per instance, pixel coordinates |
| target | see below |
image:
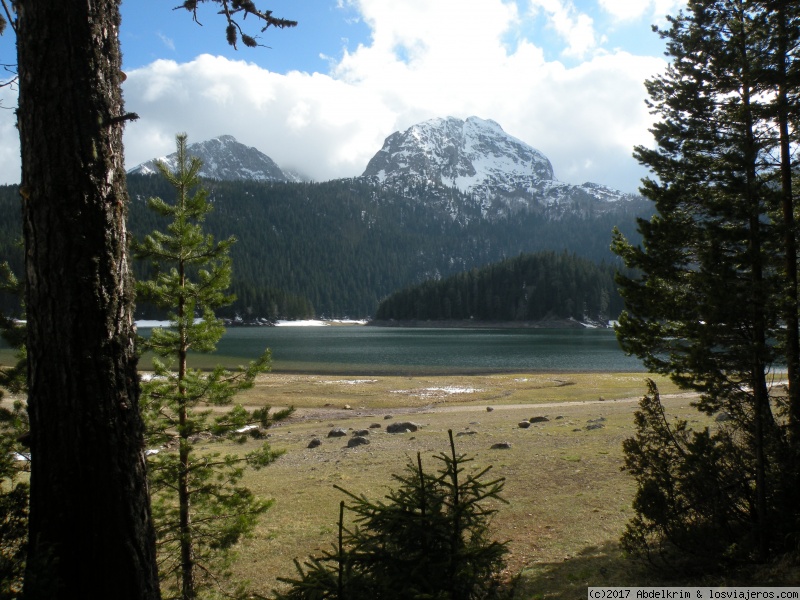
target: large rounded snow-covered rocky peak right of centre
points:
(501, 172)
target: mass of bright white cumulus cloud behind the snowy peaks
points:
(424, 59)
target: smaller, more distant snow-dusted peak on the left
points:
(226, 159)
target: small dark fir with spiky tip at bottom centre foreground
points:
(430, 539)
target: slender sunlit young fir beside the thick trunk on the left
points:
(200, 509)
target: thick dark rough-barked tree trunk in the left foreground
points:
(90, 529)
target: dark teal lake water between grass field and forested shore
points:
(375, 350)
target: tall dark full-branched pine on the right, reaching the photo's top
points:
(708, 300)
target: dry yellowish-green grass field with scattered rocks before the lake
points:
(568, 499)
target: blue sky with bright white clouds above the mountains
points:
(565, 76)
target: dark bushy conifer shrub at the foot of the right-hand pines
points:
(693, 490)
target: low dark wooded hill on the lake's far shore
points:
(530, 287)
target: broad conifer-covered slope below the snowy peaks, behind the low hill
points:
(337, 248)
